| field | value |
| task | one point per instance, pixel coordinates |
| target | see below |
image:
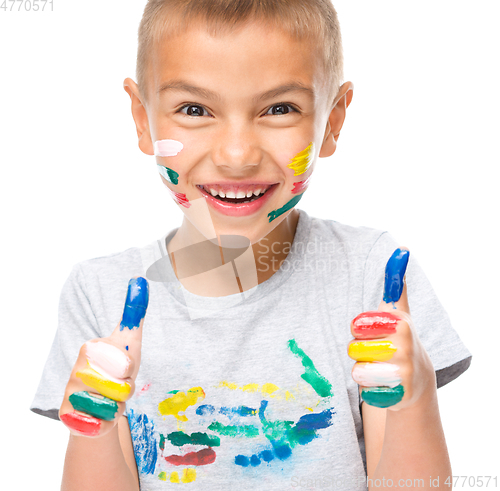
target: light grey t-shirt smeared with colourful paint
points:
(251, 391)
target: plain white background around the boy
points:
(418, 156)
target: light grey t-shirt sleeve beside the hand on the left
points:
(76, 325)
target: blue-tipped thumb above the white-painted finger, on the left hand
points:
(128, 333)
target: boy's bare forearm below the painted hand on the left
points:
(101, 464)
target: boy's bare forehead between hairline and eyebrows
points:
(241, 63)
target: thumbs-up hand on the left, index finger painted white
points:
(103, 377)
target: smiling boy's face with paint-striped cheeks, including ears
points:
(242, 112)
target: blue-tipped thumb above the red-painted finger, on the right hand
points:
(395, 295)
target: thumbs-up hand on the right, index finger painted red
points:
(393, 368)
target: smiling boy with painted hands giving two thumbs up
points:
(245, 378)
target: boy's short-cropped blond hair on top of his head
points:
(302, 19)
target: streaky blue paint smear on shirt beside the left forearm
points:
(144, 441)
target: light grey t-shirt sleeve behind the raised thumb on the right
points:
(446, 350)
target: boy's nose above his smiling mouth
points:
(236, 148)
